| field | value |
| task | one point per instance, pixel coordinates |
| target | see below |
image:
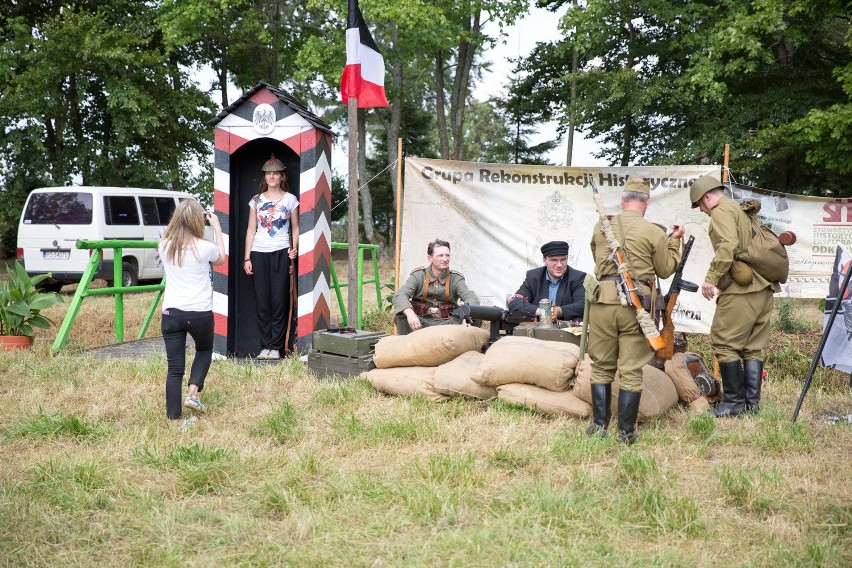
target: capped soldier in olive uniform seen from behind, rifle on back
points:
(615, 339)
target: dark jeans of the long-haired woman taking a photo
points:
(175, 325)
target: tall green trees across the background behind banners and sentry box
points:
(106, 92)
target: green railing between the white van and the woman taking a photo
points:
(83, 290)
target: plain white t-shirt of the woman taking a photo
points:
(188, 287)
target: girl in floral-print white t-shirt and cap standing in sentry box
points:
(269, 249)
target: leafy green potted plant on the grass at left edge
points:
(20, 308)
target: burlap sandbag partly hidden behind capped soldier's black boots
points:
(658, 390)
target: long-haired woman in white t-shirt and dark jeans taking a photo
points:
(188, 300)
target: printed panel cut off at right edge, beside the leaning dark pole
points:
(837, 352)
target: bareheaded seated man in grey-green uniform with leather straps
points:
(431, 292)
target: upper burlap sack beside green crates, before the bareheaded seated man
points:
(428, 347)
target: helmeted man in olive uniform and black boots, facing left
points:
(740, 328)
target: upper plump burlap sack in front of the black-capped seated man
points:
(547, 364)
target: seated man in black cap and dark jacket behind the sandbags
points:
(555, 280)
